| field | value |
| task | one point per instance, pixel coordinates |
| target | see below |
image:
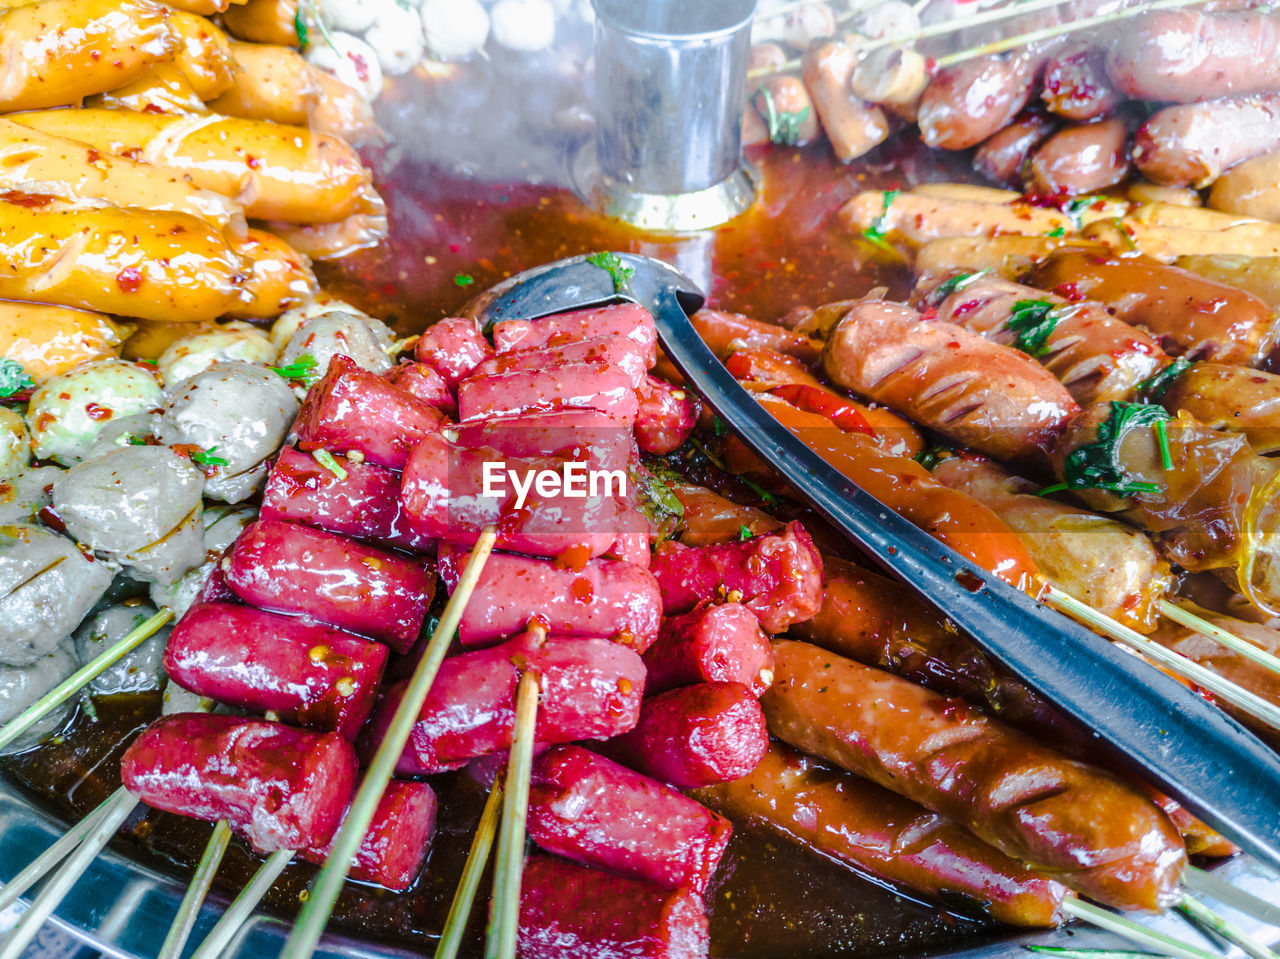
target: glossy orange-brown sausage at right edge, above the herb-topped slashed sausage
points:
(1192, 316)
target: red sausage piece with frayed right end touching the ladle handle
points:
(778, 577)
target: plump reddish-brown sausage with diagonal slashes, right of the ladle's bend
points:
(980, 394)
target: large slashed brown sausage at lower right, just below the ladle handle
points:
(1064, 819)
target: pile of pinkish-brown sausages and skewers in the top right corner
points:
(1174, 94)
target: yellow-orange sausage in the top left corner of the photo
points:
(60, 52)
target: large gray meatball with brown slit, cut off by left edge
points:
(47, 588)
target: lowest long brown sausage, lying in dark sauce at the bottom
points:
(885, 835)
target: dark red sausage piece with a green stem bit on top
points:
(364, 505)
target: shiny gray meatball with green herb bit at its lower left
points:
(239, 414)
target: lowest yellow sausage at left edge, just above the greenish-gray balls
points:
(48, 341)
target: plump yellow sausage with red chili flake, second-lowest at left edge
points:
(131, 263)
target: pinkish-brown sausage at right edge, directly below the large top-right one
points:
(1191, 145)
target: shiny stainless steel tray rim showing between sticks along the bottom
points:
(125, 908)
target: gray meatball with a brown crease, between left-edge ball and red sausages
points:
(140, 506)
